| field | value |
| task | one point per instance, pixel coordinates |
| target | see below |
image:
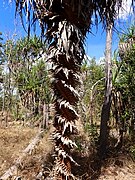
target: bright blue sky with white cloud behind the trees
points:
(95, 43)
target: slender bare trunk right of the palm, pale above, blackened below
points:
(105, 114)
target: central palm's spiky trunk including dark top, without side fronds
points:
(66, 52)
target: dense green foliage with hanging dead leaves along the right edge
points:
(124, 81)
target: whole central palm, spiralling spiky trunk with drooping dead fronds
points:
(66, 23)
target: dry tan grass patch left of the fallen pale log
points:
(12, 141)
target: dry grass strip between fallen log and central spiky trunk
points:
(32, 165)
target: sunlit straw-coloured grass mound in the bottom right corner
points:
(118, 168)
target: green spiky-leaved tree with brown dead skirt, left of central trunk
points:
(27, 63)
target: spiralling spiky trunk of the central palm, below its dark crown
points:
(66, 54)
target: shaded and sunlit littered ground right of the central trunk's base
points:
(117, 165)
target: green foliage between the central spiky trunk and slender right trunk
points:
(93, 89)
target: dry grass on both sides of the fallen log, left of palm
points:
(13, 140)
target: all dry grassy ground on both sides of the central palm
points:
(15, 138)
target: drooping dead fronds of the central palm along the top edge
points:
(78, 12)
